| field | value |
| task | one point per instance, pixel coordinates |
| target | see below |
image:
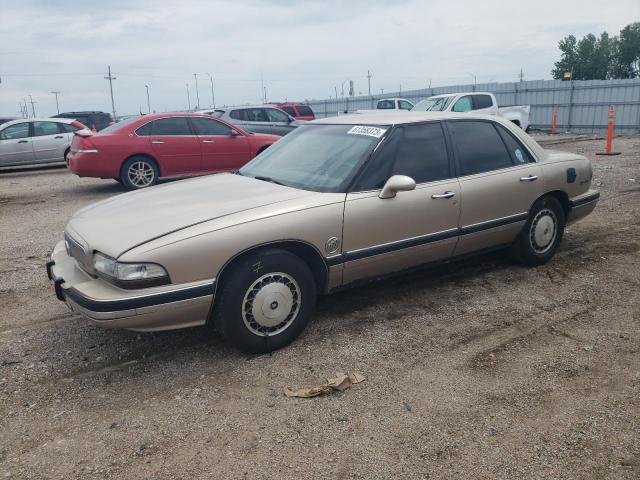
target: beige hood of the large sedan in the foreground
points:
(123, 222)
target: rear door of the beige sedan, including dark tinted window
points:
(499, 181)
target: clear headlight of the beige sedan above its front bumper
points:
(130, 275)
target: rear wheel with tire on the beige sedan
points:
(541, 235)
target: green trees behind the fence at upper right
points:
(600, 58)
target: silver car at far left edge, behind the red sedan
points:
(36, 140)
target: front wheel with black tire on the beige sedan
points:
(266, 301)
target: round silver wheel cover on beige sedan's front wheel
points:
(271, 304)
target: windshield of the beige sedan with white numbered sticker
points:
(321, 158)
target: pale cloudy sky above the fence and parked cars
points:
(297, 49)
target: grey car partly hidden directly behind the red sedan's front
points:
(259, 119)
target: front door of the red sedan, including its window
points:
(221, 151)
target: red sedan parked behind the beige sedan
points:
(139, 151)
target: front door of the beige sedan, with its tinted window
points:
(412, 228)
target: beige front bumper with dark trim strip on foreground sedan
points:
(150, 309)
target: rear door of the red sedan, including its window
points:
(175, 146)
